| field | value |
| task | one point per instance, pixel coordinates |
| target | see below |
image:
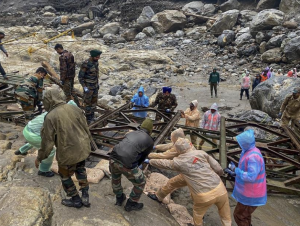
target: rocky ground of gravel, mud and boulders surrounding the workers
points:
(144, 45)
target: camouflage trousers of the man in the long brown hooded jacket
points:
(66, 172)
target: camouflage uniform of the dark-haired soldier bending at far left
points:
(29, 93)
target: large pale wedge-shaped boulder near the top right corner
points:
(266, 20)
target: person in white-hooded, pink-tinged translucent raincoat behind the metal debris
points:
(211, 121)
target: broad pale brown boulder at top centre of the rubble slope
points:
(170, 20)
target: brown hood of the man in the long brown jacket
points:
(52, 98)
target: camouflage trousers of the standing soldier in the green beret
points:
(90, 103)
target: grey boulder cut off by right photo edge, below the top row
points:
(292, 50)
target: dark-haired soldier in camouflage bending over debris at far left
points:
(30, 93)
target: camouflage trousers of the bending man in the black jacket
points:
(135, 176)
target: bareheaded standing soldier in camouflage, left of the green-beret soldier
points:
(67, 71)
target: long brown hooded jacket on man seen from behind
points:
(65, 127)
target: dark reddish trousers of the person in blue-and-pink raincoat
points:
(242, 214)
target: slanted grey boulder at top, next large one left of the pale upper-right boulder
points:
(226, 21)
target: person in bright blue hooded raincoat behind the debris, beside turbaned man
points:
(140, 100)
